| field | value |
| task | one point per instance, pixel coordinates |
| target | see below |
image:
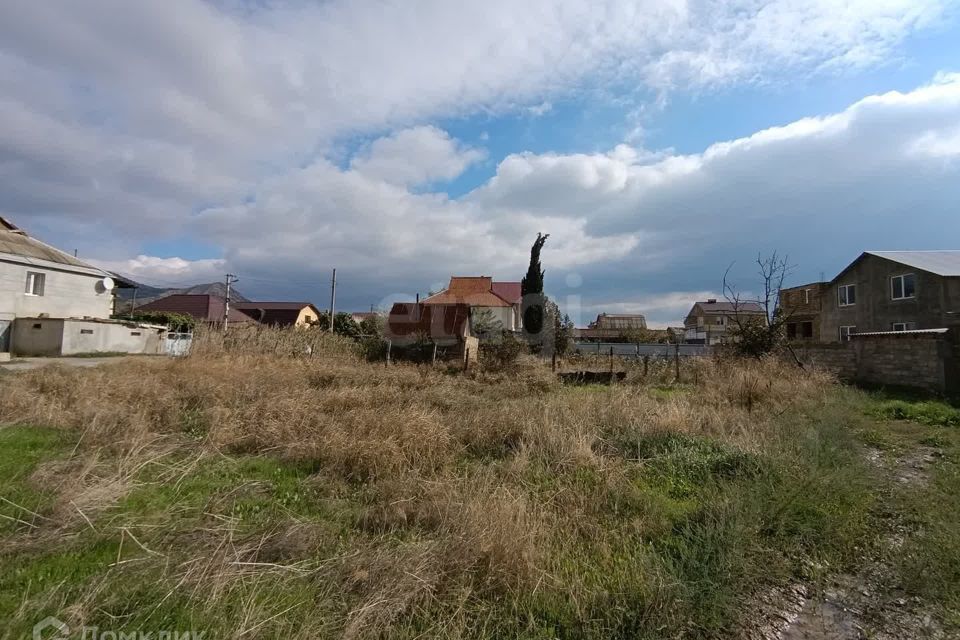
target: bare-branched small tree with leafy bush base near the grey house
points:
(757, 335)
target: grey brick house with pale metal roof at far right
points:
(893, 291)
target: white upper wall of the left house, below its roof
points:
(65, 294)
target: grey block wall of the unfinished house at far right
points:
(875, 310)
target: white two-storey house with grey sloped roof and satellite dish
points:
(39, 281)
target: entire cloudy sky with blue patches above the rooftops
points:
(402, 142)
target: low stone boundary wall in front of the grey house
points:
(928, 361)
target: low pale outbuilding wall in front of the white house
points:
(58, 337)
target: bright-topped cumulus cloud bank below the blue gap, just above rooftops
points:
(641, 231)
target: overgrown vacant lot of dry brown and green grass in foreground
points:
(269, 496)
